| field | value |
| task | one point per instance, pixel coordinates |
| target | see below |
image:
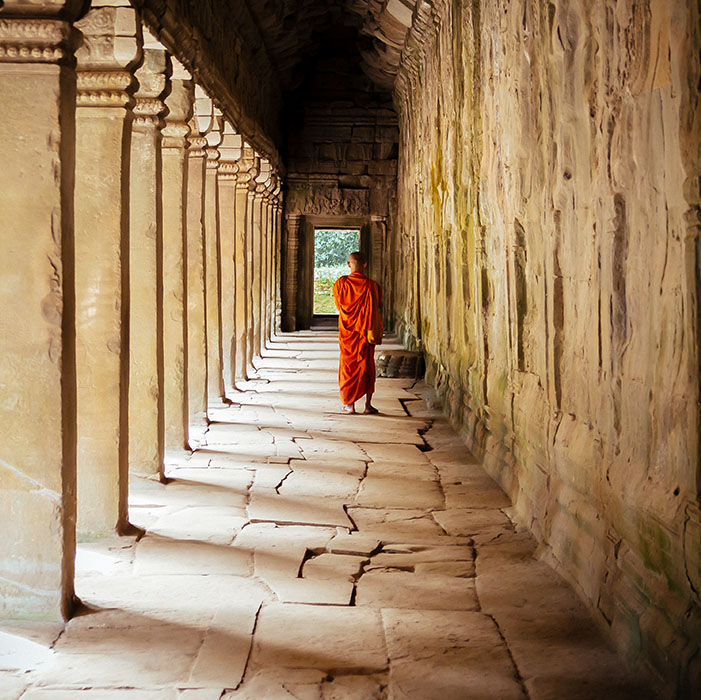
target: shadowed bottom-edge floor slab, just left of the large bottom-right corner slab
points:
(451, 655)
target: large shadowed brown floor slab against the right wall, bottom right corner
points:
(548, 628)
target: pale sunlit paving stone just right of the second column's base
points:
(159, 555)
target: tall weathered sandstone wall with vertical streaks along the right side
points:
(547, 261)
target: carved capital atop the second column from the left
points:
(111, 48)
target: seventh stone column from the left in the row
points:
(231, 150)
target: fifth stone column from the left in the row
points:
(196, 337)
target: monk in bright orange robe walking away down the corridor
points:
(358, 300)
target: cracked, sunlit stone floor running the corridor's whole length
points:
(304, 554)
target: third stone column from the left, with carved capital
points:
(146, 420)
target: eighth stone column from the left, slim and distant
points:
(247, 170)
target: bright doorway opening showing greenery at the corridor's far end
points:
(331, 249)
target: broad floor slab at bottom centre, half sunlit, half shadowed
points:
(327, 638)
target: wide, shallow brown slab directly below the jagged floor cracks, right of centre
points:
(418, 591)
